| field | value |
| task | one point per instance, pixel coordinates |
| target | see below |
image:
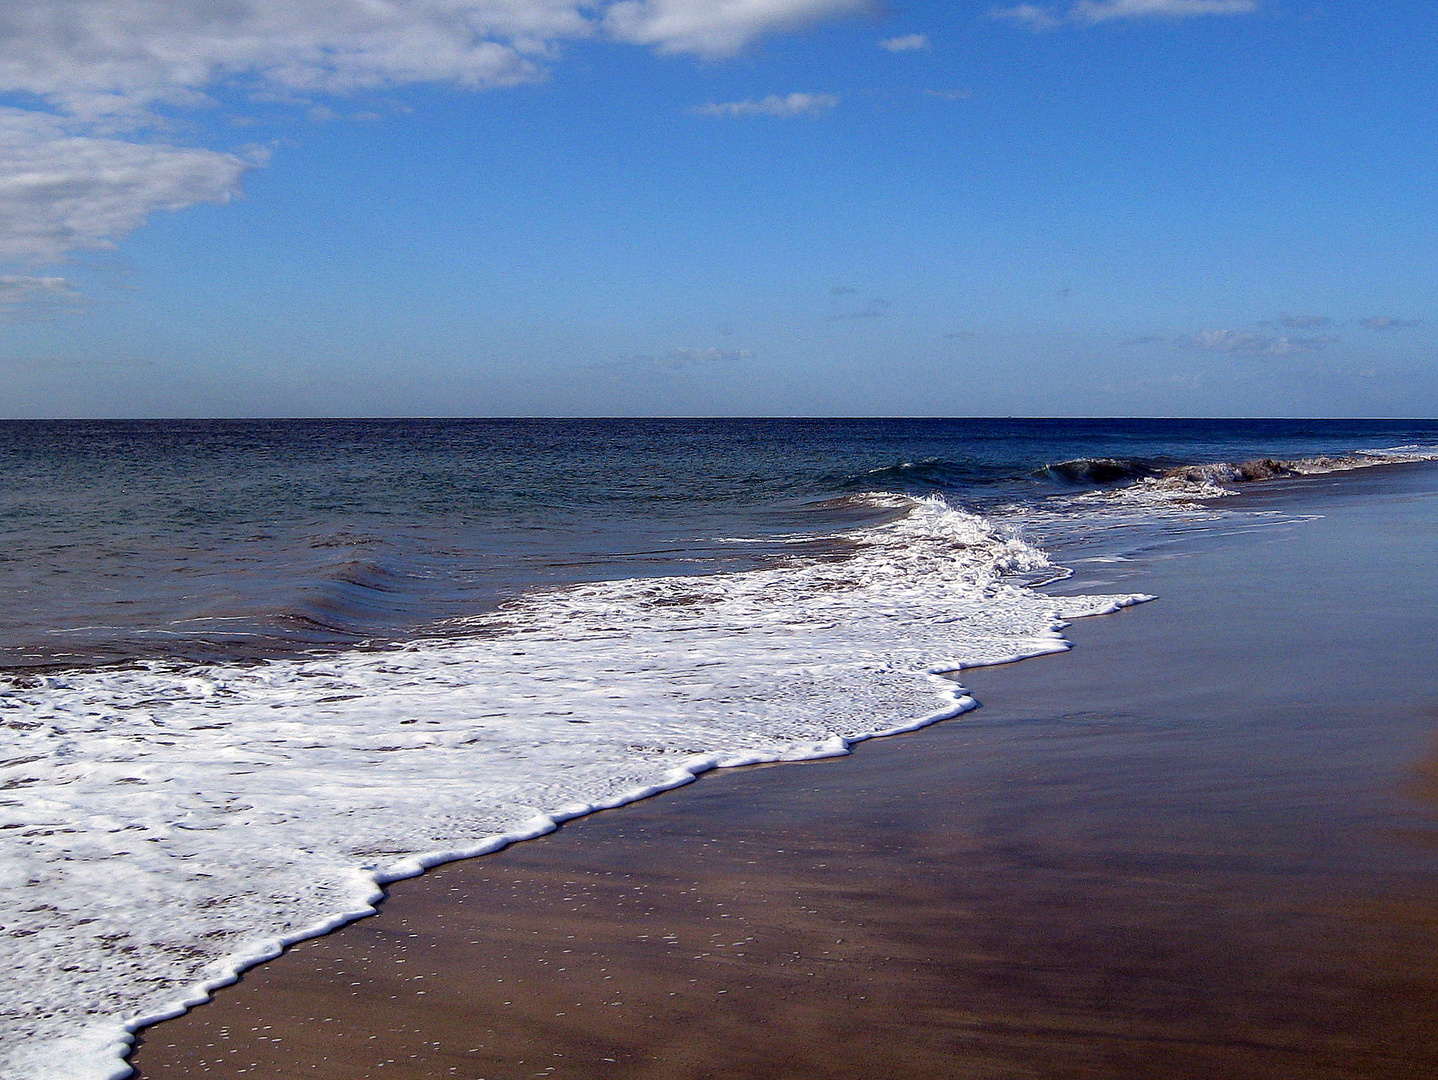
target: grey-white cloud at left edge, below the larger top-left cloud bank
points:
(61, 192)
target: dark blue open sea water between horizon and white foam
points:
(228, 540)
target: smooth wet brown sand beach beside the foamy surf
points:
(1201, 845)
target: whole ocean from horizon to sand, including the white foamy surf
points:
(252, 671)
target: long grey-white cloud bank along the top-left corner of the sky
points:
(96, 58)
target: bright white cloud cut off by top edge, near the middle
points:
(715, 28)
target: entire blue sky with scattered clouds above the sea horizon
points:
(718, 208)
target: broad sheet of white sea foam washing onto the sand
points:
(166, 828)
